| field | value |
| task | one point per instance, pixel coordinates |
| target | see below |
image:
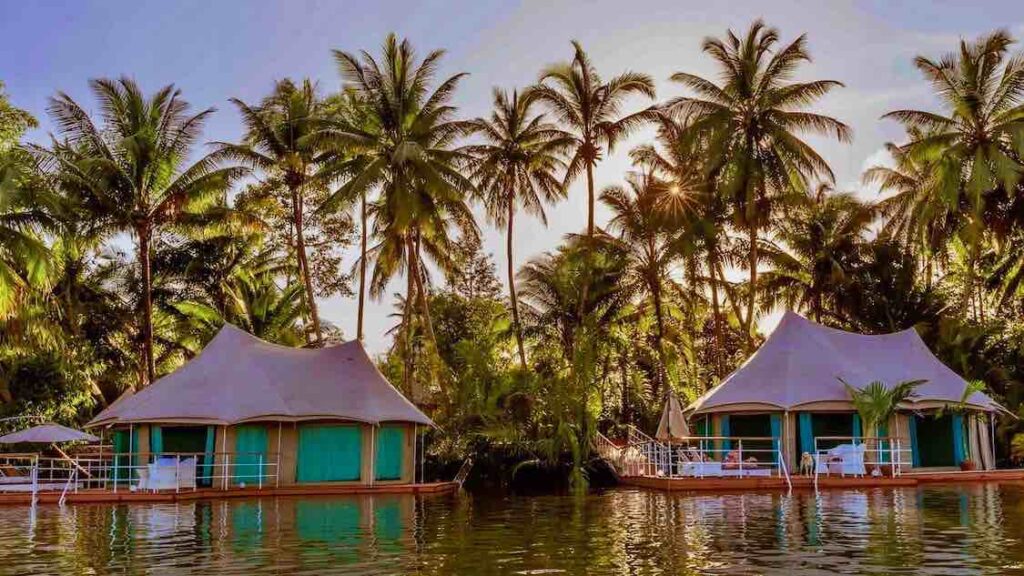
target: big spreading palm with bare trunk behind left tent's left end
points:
(134, 169)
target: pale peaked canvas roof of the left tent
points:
(239, 379)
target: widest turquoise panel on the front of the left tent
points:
(329, 454)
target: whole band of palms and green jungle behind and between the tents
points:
(728, 215)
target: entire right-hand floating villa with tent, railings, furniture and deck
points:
(786, 414)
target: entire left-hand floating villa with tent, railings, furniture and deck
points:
(245, 416)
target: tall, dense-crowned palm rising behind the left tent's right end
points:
(405, 149)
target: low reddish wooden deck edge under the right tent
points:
(825, 482)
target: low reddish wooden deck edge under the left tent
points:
(109, 497)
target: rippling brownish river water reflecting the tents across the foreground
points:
(976, 529)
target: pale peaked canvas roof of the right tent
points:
(801, 362)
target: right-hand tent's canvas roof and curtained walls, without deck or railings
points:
(791, 389)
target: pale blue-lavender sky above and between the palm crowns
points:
(218, 50)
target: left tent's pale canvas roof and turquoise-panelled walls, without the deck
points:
(245, 408)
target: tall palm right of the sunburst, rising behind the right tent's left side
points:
(750, 128)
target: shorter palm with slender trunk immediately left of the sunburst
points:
(646, 240)
